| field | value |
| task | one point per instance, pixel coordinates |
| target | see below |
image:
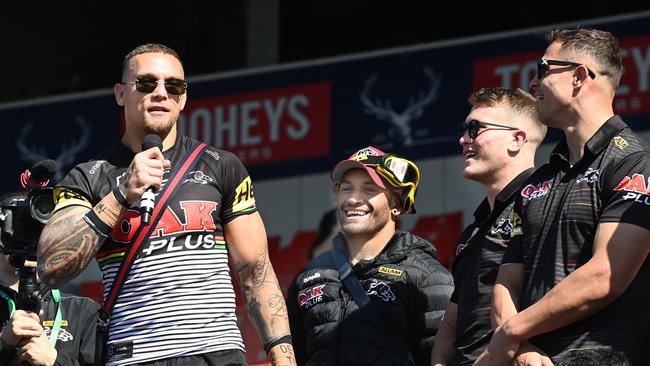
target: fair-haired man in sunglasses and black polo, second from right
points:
(499, 138)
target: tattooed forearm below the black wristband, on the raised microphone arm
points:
(66, 246)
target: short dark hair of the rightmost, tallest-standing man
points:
(598, 45)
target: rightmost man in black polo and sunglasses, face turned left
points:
(575, 277)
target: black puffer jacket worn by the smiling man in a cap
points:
(406, 283)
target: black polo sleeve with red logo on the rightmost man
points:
(626, 195)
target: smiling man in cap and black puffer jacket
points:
(406, 286)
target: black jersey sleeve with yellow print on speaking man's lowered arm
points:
(237, 188)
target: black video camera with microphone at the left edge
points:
(22, 218)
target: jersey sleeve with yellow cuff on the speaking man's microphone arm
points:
(73, 190)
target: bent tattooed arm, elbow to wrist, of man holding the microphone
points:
(68, 244)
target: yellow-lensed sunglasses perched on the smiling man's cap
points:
(399, 173)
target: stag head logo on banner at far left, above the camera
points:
(67, 156)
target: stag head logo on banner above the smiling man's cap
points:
(400, 121)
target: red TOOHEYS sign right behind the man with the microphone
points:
(264, 126)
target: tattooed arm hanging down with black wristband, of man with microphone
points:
(262, 295)
